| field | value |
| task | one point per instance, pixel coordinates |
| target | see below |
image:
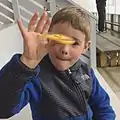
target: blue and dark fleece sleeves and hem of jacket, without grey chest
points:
(20, 85)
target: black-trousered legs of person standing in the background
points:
(101, 8)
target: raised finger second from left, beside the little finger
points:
(31, 25)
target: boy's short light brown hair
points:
(78, 18)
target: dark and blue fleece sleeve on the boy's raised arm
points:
(15, 86)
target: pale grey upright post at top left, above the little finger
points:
(16, 10)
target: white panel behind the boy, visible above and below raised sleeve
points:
(10, 43)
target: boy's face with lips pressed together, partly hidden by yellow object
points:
(64, 56)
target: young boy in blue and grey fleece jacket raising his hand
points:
(50, 76)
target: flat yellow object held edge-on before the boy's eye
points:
(59, 38)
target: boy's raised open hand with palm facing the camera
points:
(34, 45)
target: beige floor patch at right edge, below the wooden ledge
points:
(112, 77)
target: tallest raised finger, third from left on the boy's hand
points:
(41, 22)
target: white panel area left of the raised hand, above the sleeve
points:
(10, 43)
